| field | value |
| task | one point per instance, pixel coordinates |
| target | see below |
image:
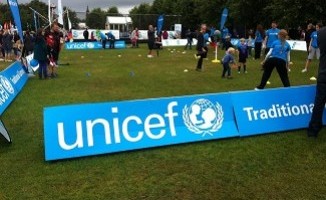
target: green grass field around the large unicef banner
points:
(285, 165)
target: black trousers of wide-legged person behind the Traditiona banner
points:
(269, 66)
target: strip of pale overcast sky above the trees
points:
(80, 5)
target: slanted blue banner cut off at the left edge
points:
(12, 80)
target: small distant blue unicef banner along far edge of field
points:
(119, 44)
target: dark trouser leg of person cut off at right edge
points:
(316, 122)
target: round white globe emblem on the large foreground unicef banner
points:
(203, 117)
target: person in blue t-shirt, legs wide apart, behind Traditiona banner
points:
(278, 56)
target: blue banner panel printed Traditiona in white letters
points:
(272, 110)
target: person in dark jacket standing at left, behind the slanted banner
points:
(40, 53)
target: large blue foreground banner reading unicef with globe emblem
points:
(92, 129)
